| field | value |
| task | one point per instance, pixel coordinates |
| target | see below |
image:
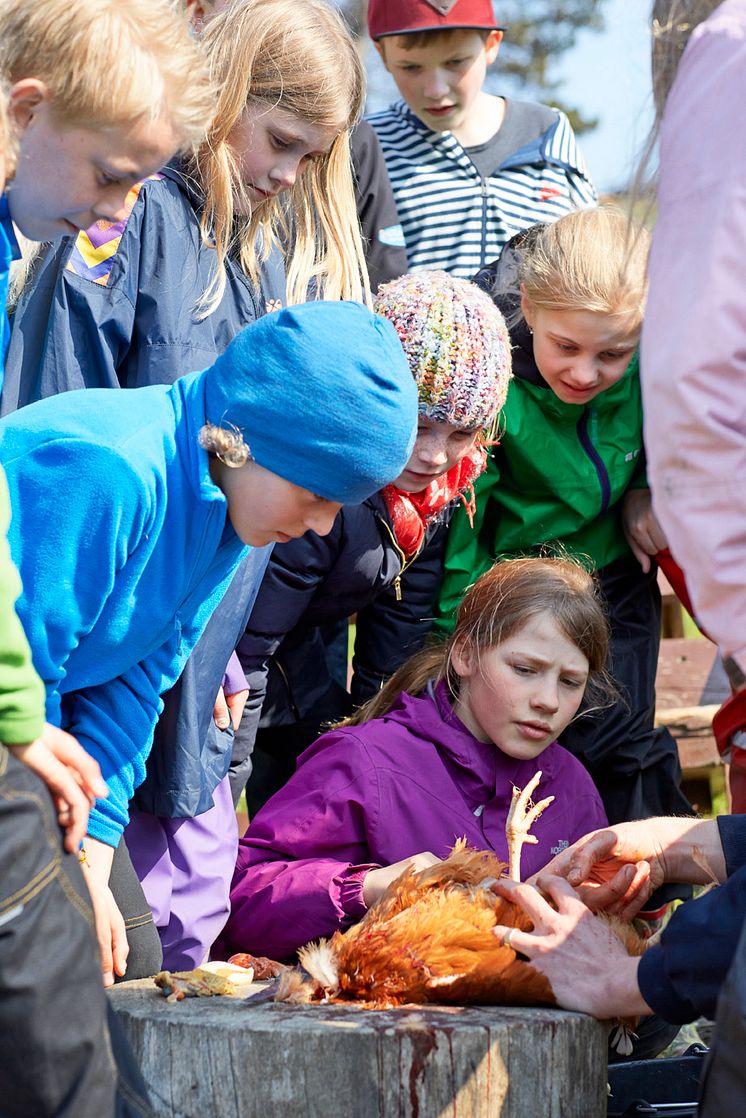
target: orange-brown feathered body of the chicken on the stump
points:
(430, 940)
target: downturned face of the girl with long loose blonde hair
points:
(275, 148)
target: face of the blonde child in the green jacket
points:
(580, 354)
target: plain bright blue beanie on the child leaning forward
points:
(324, 396)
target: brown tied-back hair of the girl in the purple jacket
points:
(498, 605)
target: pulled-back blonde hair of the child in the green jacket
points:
(591, 260)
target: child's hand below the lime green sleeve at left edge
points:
(72, 776)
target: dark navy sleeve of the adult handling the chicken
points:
(682, 978)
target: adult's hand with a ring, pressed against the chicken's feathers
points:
(587, 965)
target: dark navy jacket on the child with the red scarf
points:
(358, 569)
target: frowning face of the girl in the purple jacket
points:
(523, 694)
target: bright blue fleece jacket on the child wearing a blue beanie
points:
(137, 536)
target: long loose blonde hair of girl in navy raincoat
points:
(301, 59)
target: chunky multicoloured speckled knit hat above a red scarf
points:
(457, 344)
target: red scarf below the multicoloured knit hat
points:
(412, 513)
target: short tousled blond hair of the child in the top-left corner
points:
(109, 63)
